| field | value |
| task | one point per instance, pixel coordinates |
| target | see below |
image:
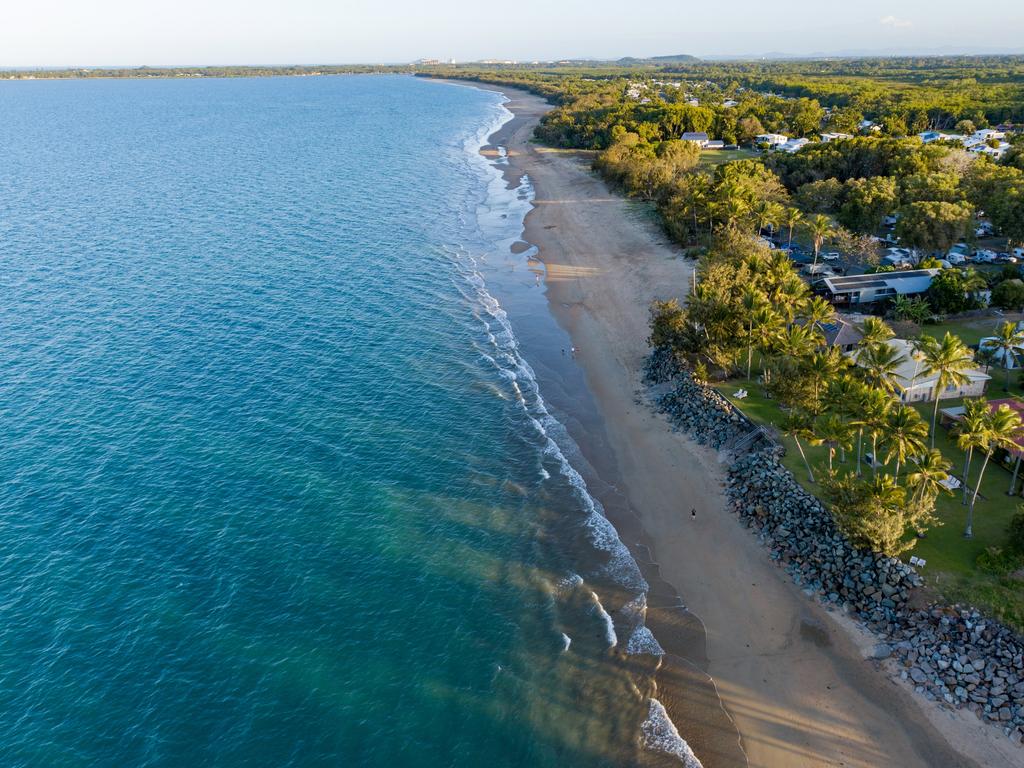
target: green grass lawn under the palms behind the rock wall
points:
(952, 559)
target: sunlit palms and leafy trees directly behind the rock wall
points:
(752, 322)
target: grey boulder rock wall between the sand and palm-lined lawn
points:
(952, 655)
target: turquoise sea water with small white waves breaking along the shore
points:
(278, 487)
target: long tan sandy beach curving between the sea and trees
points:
(763, 675)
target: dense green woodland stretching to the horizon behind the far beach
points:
(835, 193)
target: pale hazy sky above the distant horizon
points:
(170, 32)
